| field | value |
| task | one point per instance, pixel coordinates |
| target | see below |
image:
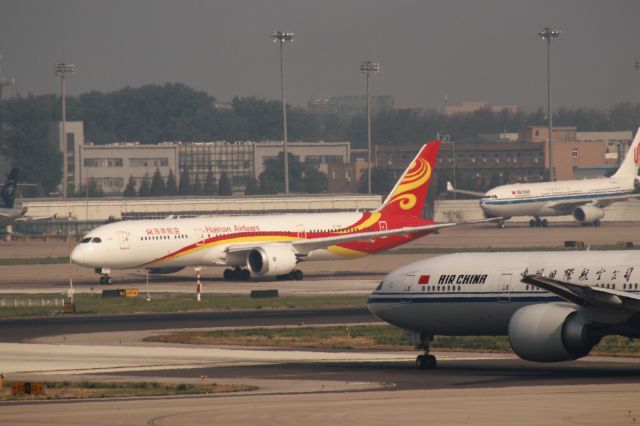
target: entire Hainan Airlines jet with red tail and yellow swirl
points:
(266, 245)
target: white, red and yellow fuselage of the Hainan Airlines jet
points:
(203, 241)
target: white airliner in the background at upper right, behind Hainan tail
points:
(583, 199)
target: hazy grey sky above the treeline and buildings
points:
(468, 49)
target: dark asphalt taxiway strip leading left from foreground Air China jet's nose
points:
(14, 330)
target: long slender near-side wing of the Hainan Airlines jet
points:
(304, 246)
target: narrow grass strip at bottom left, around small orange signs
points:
(90, 389)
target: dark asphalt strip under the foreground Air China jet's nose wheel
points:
(450, 374)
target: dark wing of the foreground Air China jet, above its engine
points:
(585, 295)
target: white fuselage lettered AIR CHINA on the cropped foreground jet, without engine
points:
(478, 293)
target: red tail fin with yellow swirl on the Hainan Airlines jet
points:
(410, 192)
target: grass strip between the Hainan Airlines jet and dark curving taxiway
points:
(96, 304)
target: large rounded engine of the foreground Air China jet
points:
(551, 332)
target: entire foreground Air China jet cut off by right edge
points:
(553, 306)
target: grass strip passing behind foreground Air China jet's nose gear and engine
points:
(369, 337)
